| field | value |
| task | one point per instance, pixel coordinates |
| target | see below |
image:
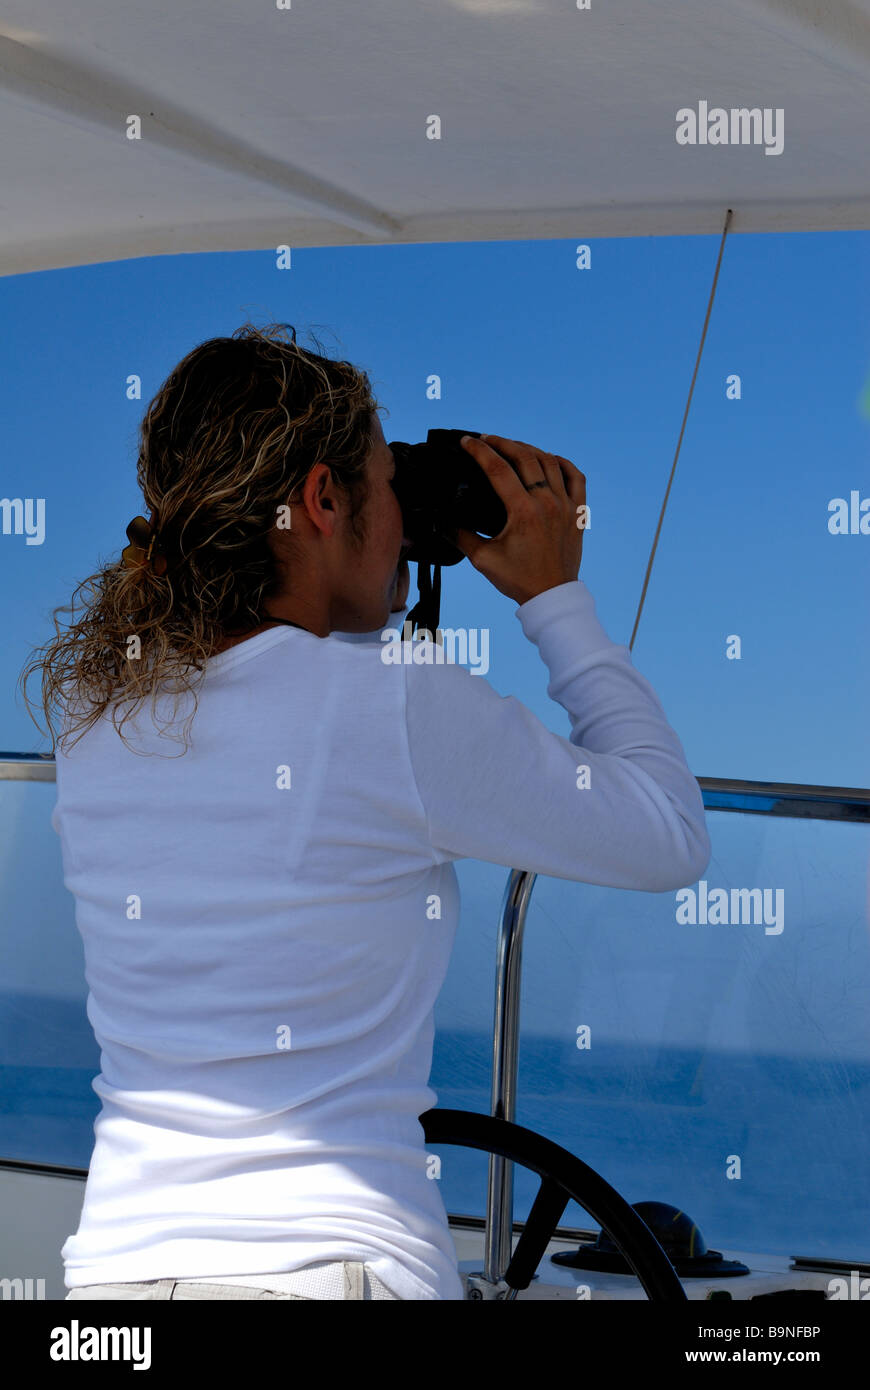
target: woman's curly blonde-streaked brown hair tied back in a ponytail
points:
(229, 439)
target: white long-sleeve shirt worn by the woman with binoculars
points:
(268, 922)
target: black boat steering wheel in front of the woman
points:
(564, 1178)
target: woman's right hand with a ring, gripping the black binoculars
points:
(541, 544)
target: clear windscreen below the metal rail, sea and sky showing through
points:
(709, 1045)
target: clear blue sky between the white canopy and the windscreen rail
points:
(593, 365)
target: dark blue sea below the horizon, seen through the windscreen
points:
(658, 1124)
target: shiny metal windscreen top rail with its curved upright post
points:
(780, 800)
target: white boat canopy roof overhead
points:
(308, 126)
